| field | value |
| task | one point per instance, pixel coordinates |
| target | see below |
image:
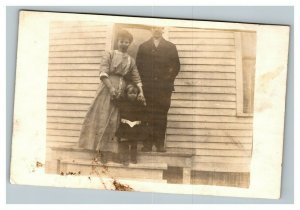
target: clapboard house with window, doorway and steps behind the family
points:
(209, 134)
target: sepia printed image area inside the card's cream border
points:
(169, 104)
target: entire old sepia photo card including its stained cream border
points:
(146, 103)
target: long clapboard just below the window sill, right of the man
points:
(207, 125)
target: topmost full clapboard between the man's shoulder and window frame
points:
(200, 34)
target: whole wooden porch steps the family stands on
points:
(150, 166)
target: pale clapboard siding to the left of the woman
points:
(75, 52)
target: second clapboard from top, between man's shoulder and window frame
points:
(203, 41)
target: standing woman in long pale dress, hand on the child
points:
(102, 119)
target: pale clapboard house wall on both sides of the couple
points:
(202, 119)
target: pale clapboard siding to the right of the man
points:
(202, 118)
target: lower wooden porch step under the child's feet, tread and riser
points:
(142, 171)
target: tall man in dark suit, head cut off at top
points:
(158, 64)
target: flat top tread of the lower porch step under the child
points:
(156, 166)
